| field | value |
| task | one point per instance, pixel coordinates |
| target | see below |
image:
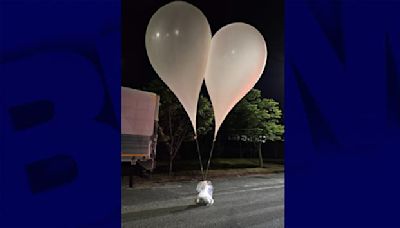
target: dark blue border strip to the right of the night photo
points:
(342, 113)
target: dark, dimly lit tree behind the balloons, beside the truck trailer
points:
(174, 124)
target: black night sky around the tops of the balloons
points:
(266, 16)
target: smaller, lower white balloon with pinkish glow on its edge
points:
(236, 61)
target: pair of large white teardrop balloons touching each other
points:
(183, 53)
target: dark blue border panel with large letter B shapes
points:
(60, 70)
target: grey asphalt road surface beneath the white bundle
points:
(251, 201)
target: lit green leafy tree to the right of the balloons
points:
(257, 118)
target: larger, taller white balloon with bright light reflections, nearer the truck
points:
(178, 39)
